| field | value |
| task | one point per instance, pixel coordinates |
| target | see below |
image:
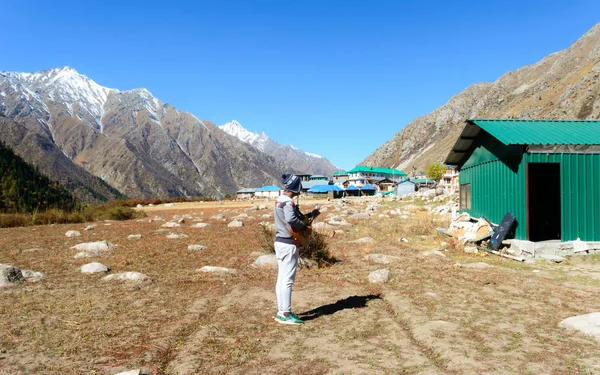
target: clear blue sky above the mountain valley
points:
(336, 78)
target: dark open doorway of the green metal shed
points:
(543, 196)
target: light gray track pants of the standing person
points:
(287, 261)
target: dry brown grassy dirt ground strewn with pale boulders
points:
(436, 316)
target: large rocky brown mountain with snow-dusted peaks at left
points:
(129, 139)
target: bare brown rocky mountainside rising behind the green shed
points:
(563, 85)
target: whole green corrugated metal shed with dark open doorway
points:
(545, 172)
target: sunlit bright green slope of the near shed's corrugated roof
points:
(542, 132)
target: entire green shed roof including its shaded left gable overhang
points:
(524, 132)
